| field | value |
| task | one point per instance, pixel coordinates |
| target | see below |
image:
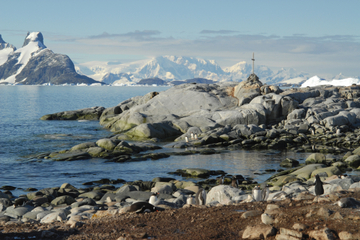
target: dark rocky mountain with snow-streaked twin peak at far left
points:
(34, 63)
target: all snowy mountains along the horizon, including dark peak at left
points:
(34, 63)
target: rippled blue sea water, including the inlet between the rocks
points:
(23, 135)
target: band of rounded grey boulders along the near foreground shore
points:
(75, 208)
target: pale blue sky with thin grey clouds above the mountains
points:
(317, 37)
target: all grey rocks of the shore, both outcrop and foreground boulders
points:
(209, 119)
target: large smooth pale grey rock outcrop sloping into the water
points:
(170, 113)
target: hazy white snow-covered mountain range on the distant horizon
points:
(170, 68)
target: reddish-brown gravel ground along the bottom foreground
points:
(194, 222)
